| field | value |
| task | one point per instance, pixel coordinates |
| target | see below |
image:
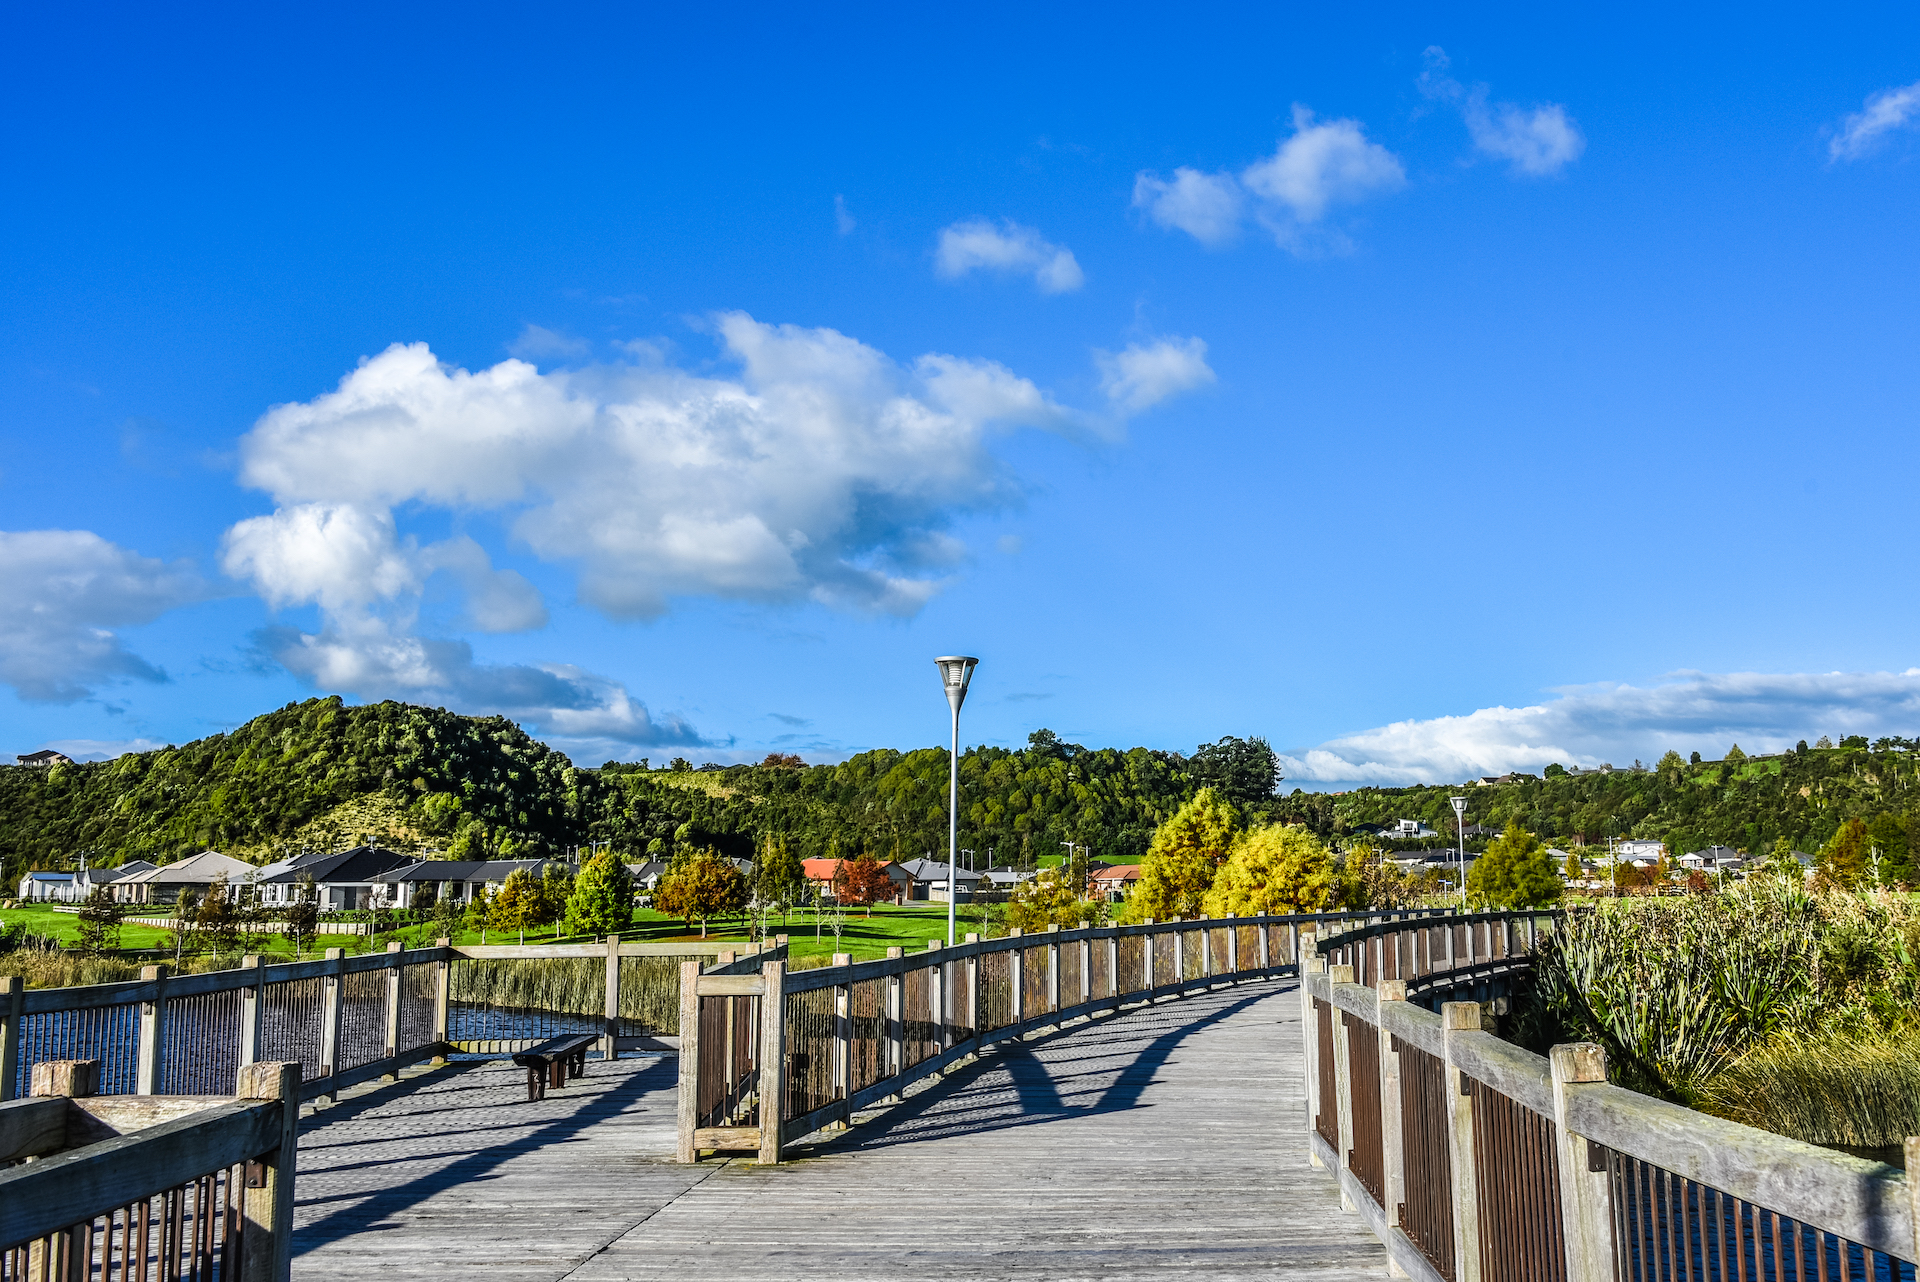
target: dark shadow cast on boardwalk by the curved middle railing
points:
(1020, 1085)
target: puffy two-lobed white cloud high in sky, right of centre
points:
(1291, 193)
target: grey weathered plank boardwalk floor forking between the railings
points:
(1161, 1143)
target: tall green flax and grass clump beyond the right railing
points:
(1764, 1003)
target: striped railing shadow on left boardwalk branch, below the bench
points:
(368, 1210)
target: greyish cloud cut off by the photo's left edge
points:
(60, 596)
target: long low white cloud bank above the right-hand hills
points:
(1589, 726)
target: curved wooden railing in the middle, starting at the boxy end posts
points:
(855, 1033)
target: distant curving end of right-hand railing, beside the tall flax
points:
(1456, 955)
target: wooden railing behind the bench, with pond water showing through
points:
(345, 1020)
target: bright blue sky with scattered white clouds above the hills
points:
(1429, 394)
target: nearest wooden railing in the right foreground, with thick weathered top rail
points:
(1479, 1162)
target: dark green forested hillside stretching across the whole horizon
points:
(325, 774)
